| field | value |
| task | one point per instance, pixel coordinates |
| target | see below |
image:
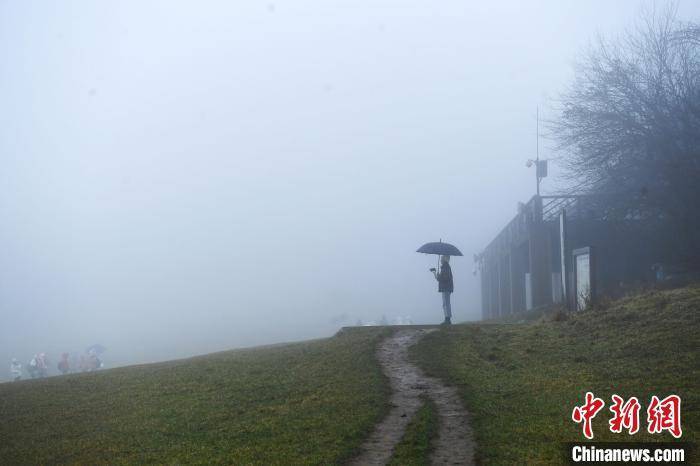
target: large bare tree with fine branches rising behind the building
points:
(629, 125)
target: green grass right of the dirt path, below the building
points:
(521, 381)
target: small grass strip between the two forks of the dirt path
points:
(417, 443)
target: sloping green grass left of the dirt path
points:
(304, 403)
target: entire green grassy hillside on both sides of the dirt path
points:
(315, 402)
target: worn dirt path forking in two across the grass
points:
(455, 443)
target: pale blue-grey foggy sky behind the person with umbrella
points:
(182, 177)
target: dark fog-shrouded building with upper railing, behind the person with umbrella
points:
(521, 269)
